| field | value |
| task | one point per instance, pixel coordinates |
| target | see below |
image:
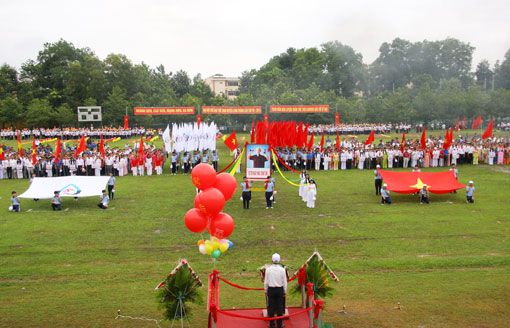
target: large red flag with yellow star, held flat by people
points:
(409, 182)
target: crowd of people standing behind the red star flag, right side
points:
(351, 153)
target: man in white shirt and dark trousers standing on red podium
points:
(275, 286)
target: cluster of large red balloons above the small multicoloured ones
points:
(215, 191)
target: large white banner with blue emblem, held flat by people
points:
(74, 186)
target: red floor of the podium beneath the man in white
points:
(225, 321)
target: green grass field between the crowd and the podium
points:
(448, 263)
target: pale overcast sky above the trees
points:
(229, 37)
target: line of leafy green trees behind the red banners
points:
(409, 81)
